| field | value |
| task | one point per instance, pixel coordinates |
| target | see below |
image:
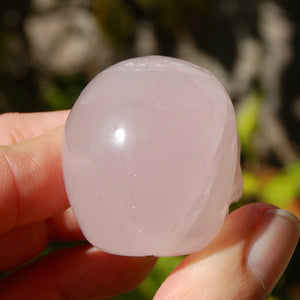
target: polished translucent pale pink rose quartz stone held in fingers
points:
(151, 158)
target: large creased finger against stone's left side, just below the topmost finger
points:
(31, 179)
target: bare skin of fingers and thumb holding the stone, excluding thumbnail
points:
(34, 210)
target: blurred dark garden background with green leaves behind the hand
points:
(50, 49)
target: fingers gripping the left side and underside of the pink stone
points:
(34, 210)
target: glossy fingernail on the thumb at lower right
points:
(272, 246)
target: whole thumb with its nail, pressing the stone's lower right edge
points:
(244, 262)
